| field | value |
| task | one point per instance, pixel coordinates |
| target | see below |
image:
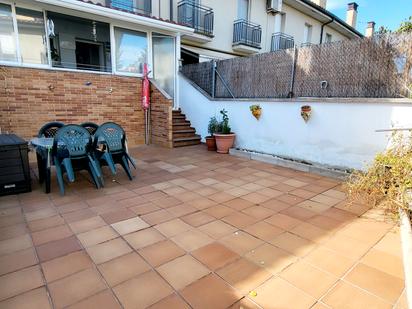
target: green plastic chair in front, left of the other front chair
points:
(71, 152)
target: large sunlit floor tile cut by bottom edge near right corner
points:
(346, 296)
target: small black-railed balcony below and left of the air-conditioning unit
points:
(247, 36)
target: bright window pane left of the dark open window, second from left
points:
(32, 36)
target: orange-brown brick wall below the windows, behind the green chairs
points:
(31, 97)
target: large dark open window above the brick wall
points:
(78, 43)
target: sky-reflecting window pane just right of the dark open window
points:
(131, 50)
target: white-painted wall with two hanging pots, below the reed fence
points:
(339, 134)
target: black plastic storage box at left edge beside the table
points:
(14, 165)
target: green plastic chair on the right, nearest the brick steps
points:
(113, 138)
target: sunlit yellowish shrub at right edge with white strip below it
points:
(387, 184)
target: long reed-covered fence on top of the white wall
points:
(371, 67)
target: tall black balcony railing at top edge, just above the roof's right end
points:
(196, 16)
